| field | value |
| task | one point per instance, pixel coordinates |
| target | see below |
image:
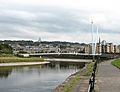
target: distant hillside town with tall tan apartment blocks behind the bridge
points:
(39, 46)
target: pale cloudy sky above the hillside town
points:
(60, 20)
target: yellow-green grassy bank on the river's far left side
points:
(11, 58)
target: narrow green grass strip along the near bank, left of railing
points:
(85, 72)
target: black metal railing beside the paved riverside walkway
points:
(92, 78)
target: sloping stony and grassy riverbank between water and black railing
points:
(71, 82)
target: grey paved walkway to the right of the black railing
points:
(108, 77)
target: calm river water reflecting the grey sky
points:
(40, 78)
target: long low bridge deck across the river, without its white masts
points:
(71, 55)
